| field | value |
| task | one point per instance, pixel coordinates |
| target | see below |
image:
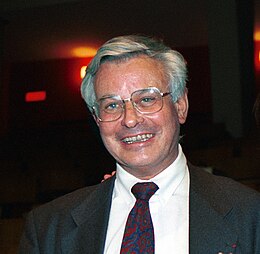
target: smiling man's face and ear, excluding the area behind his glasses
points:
(158, 147)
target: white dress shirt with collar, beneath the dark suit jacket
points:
(169, 208)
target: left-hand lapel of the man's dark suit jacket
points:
(91, 219)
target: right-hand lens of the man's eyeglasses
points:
(147, 100)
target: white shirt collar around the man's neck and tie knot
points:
(168, 180)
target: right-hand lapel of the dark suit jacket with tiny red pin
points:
(210, 229)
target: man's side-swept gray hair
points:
(123, 48)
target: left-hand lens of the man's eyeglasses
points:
(109, 109)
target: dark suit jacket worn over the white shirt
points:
(224, 218)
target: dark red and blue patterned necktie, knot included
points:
(139, 235)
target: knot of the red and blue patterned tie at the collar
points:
(144, 191)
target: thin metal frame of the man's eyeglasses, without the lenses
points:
(133, 103)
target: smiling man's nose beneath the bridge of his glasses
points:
(131, 116)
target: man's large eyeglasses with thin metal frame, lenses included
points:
(145, 101)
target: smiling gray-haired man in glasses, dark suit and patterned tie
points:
(135, 88)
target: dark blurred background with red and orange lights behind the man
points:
(49, 144)
